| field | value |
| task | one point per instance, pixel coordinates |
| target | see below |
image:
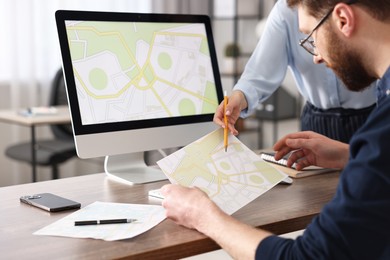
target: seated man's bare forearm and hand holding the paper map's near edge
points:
(192, 208)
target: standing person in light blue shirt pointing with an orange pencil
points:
(331, 109)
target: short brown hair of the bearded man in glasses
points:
(378, 9)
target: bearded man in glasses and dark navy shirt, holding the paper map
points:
(353, 39)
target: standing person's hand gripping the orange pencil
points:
(237, 102)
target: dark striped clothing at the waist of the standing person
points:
(335, 123)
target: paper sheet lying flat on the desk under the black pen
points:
(147, 217)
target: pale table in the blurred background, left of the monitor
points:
(14, 117)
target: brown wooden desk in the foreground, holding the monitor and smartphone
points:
(283, 209)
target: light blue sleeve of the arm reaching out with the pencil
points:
(268, 63)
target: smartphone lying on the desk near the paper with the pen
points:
(50, 202)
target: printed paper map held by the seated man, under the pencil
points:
(232, 179)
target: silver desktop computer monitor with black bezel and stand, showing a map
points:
(137, 82)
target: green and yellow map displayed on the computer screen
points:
(134, 70)
